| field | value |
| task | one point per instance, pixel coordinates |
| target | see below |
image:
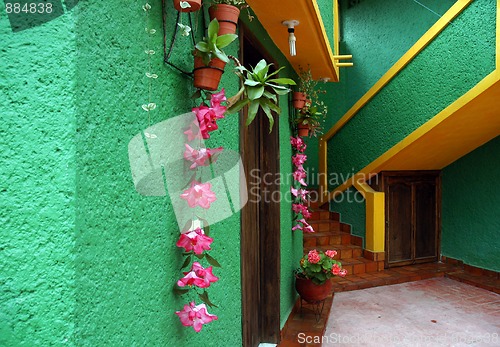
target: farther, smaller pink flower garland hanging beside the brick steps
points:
(300, 194)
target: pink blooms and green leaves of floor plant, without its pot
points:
(319, 266)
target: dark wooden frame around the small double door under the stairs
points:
(382, 186)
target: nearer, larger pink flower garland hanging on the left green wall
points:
(194, 239)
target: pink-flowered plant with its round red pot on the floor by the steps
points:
(312, 279)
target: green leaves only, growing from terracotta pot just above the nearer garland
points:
(211, 45)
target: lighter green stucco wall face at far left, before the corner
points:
(37, 179)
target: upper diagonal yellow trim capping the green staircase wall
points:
(425, 40)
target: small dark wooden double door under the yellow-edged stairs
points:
(412, 217)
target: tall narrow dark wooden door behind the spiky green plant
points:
(260, 221)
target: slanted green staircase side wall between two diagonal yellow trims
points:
(425, 87)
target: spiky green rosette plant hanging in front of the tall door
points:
(259, 91)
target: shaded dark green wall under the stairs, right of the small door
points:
(471, 208)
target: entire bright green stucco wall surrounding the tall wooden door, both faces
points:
(85, 259)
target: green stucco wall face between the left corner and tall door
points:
(126, 258)
